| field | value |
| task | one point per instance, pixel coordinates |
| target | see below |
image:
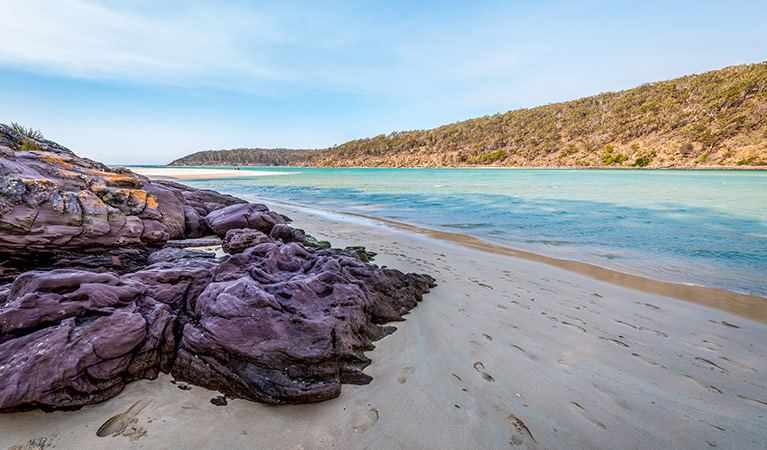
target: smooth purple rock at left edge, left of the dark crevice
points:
(70, 338)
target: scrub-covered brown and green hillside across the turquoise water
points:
(714, 119)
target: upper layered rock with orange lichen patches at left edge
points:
(53, 203)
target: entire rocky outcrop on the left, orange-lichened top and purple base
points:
(283, 320)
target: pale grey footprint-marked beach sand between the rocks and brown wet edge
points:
(504, 353)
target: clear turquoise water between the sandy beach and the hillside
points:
(706, 228)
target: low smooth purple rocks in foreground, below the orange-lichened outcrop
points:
(275, 324)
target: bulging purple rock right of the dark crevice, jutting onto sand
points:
(280, 324)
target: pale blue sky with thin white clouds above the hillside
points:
(146, 82)
